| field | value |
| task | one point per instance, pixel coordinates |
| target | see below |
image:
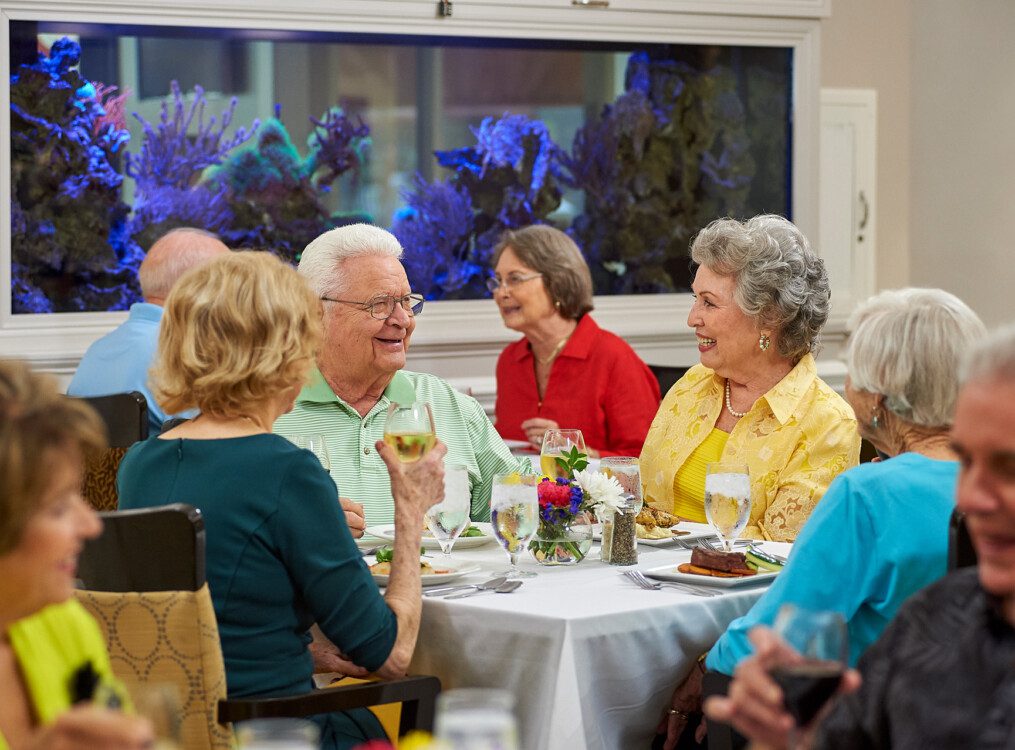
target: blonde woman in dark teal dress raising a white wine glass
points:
(238, 339)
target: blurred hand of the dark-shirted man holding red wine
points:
(755, 705)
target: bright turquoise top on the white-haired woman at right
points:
(879, 535)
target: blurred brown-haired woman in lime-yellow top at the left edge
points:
(50, 648)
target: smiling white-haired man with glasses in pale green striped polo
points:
(370, 314)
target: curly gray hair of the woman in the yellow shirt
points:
(779, 280)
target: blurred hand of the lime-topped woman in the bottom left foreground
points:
(88, 727)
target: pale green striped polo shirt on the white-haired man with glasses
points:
(356, 466)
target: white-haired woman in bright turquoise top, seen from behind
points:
(882, 532)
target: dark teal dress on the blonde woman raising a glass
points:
(280, 557)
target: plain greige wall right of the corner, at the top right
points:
(963, 189)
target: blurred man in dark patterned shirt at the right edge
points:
(943, 673)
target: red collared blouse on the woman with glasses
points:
(597, 385)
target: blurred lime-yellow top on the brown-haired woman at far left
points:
(51, 647)
